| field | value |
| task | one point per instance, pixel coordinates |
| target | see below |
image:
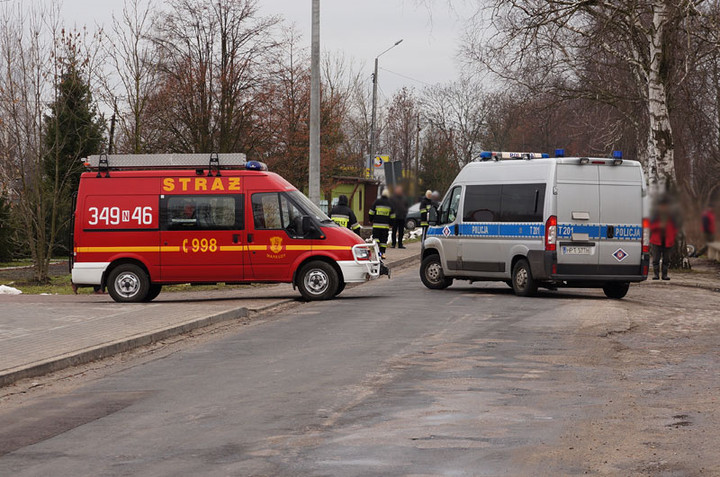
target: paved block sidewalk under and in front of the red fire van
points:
(40, 334)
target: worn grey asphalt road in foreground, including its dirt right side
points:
(394, 379)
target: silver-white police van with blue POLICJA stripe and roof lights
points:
(535, 221)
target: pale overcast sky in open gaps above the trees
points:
(361, 29)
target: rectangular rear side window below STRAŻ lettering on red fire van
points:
(203, 212)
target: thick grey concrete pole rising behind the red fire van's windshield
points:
(314, 169)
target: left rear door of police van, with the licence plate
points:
(578, 217)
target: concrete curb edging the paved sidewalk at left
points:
(106, 350)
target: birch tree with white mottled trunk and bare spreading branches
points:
(578, 48)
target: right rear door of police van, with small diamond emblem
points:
(621, 214)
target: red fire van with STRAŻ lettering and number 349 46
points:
(144, 221)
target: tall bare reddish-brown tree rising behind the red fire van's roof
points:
(212, 60)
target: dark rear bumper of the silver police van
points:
(544, 266)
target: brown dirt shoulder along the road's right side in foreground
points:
(655, 389)
